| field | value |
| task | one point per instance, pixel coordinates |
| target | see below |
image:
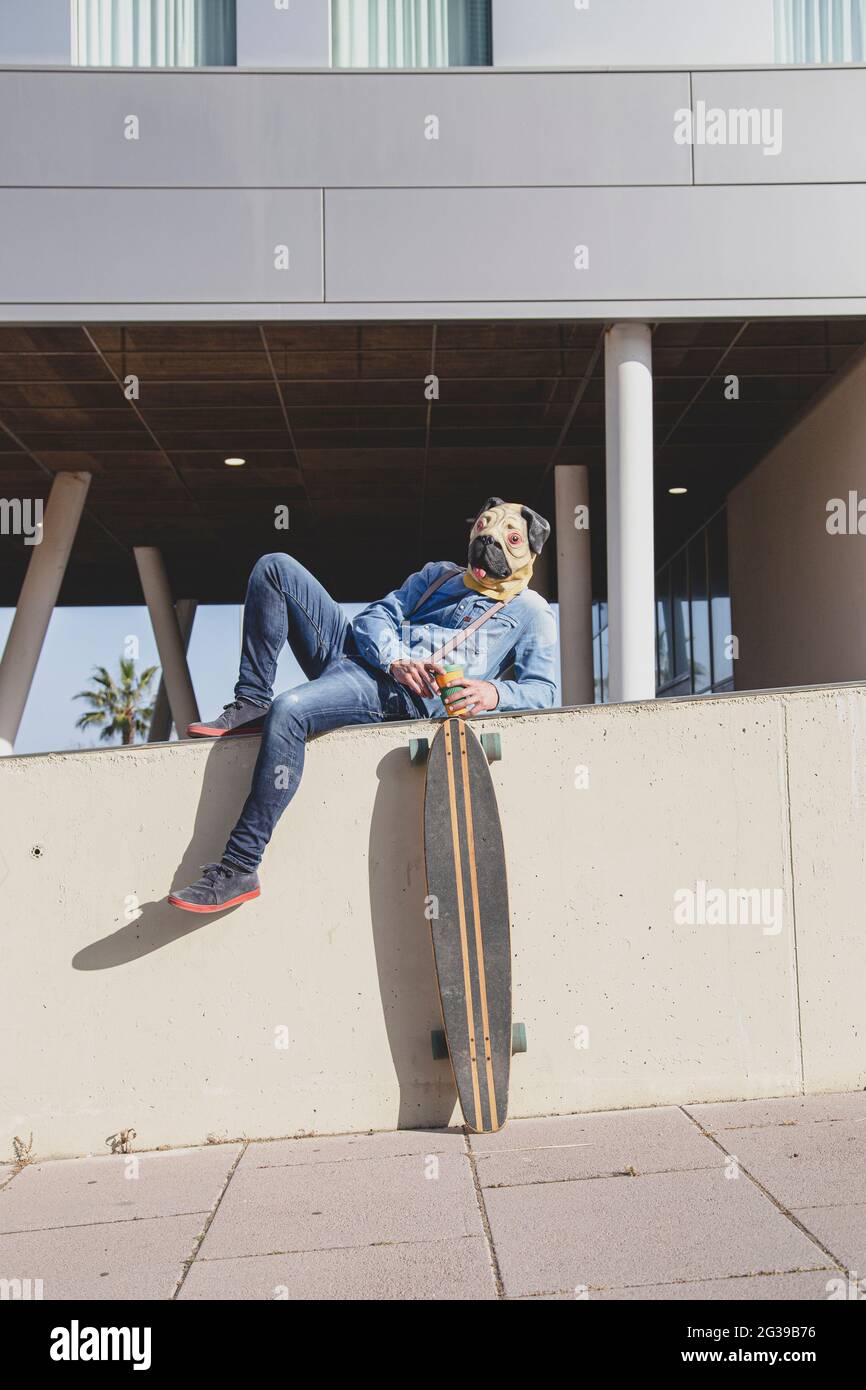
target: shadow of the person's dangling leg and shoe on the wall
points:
(159, 925)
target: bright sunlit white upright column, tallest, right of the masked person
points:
(630, 512)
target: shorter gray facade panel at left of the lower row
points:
(106, 245)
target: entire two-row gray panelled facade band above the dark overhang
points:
(483, 222)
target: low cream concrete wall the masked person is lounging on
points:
(168, 1022)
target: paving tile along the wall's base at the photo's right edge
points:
(806, 1166)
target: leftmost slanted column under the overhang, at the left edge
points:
(45, 575)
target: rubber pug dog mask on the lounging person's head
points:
(503, 547)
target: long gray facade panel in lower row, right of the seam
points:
(644, 244)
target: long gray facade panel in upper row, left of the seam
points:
(341, 130)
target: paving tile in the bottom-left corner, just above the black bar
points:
(122, 1260)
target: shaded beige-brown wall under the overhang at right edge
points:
(797, 591)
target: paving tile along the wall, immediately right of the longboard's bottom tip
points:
(586, 1146)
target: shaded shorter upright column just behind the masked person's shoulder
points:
(575, 583)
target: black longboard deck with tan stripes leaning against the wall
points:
(472, 933)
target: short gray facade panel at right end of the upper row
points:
(824, 127)
